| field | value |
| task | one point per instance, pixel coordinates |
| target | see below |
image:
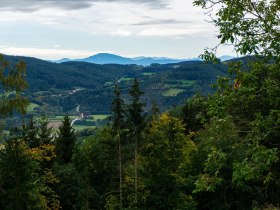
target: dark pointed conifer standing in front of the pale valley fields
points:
(65, 142)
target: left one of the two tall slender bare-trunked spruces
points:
(118, 122)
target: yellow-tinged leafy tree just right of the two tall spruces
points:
(165, 157)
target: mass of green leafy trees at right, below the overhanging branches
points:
(238, 149)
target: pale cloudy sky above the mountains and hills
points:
(55, 29)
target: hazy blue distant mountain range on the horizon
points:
(107, 58)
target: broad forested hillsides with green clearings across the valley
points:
(167, 84)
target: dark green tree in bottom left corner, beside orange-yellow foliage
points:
(19, 178)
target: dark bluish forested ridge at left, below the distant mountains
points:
(43, 75)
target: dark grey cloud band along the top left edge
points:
(33, 5)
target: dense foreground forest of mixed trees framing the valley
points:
(216, 151)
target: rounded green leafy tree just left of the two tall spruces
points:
(97, 159)
